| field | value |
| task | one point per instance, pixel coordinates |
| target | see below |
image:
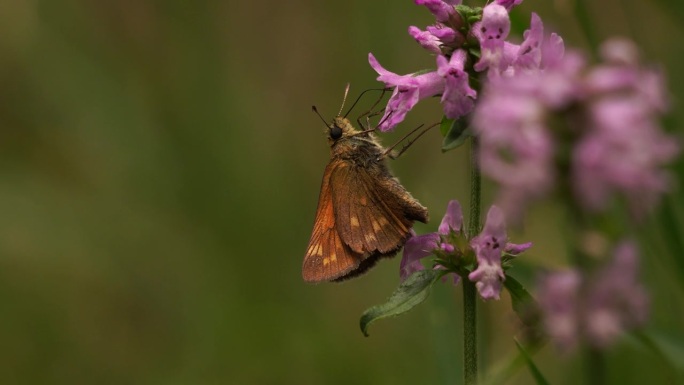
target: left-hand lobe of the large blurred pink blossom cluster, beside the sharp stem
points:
(517, 148)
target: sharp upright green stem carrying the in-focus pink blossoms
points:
(469, 290)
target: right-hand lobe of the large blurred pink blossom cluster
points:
(623, 150)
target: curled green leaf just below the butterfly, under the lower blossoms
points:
(414, 290)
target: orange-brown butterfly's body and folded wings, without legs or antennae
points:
(364, 213)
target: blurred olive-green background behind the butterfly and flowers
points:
(159, 172)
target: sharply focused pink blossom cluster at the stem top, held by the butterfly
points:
(448, 39)
